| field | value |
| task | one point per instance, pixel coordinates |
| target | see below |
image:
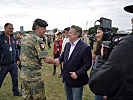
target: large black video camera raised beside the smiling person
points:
(109, 38)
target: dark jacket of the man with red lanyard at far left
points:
(7, 56)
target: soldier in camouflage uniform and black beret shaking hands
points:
(32, 51)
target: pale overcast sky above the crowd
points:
(62, 13)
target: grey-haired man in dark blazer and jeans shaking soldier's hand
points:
(77, 60)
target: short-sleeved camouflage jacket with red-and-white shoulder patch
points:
(32, 51)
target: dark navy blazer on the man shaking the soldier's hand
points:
(80, 61)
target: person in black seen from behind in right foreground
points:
(114, 77)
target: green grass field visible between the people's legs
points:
(53, 85)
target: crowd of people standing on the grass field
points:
(110, 79)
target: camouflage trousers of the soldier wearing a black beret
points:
(33, 90)
